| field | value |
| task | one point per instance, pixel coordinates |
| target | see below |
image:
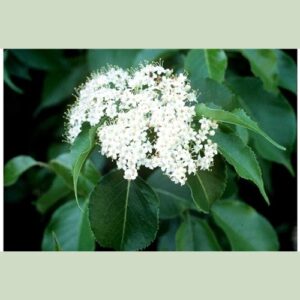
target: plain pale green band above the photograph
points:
(151, 23)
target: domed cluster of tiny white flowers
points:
(146, 118)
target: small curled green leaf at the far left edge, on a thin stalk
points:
(16, 167)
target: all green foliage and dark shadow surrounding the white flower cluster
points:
(252, 93)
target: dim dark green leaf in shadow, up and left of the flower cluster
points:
(59, 85)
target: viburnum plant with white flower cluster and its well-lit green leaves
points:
(176, 141)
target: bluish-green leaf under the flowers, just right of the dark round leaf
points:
(174, 198)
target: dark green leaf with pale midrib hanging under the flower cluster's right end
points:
(208, 186)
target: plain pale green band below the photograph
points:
(155, 276)
